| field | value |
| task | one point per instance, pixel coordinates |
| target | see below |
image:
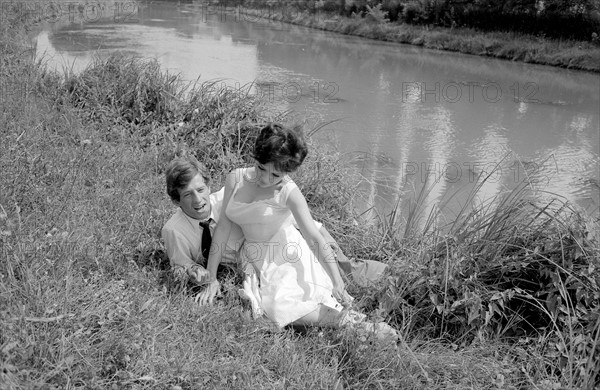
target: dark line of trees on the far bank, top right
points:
(557, 19)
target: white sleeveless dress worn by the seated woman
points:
(292, 281)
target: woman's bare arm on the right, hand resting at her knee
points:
(297, 204)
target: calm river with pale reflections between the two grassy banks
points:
(409, 117)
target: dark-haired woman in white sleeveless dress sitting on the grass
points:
(300, 283)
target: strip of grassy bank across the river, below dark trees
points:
(579, 55)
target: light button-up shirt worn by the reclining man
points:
(182, 236)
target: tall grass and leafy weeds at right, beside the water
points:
(514, 269)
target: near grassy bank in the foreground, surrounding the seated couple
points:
(86, 303)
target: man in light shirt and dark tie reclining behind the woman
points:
(187, 241)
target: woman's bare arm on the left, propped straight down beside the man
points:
(218, 245)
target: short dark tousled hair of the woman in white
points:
(283, 146)
